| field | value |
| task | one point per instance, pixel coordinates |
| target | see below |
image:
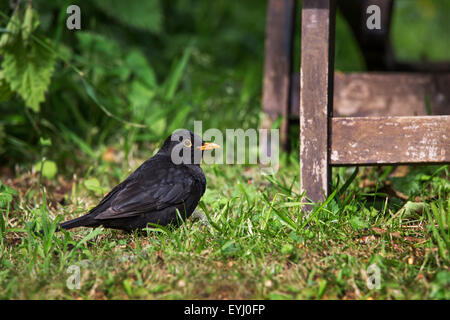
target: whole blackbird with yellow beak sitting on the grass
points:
(165, 188)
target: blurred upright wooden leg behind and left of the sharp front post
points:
(278, 63)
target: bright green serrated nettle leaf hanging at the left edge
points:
(28, 71)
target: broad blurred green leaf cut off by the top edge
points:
(146, 15)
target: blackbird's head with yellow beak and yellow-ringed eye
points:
(185, 147)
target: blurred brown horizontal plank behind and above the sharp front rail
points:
(386, 94)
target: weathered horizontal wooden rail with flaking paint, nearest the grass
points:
(390, 140)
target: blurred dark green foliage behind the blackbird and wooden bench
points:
(137, 70)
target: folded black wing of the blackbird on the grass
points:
(150, 191)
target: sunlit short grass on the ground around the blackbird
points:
(250, 239)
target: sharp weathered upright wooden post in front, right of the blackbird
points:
(317, 67)
